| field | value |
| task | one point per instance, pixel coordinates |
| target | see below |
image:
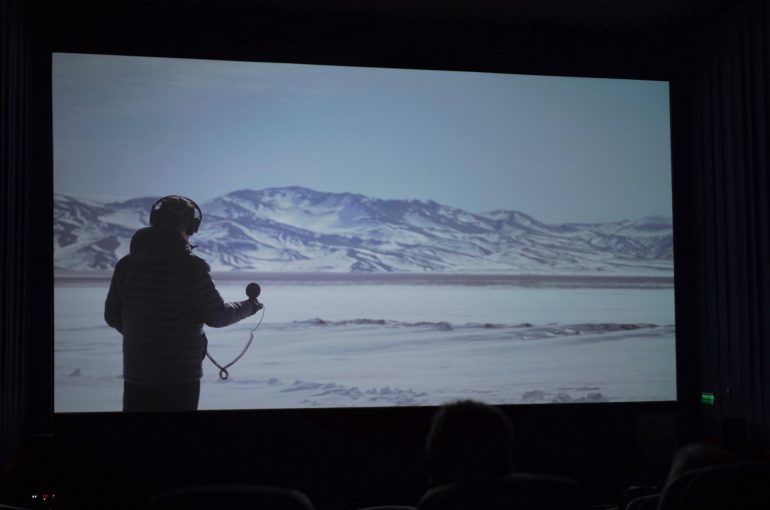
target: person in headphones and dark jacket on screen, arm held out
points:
(160, 297)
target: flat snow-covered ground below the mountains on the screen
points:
(326, 344)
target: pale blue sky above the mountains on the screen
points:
(560, 149)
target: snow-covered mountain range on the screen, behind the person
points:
(299, 229)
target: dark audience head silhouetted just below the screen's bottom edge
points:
(468, 440)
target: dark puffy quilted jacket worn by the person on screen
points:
(160, 297)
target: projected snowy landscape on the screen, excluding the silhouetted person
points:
(419, 236)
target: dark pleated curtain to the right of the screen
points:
(731, 167)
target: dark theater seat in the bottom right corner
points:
(740, 486)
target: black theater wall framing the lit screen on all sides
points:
(716, 52)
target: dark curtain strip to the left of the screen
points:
(25, 228)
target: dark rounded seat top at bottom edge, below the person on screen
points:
(230, 497)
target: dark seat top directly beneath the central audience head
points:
(514, 491)
